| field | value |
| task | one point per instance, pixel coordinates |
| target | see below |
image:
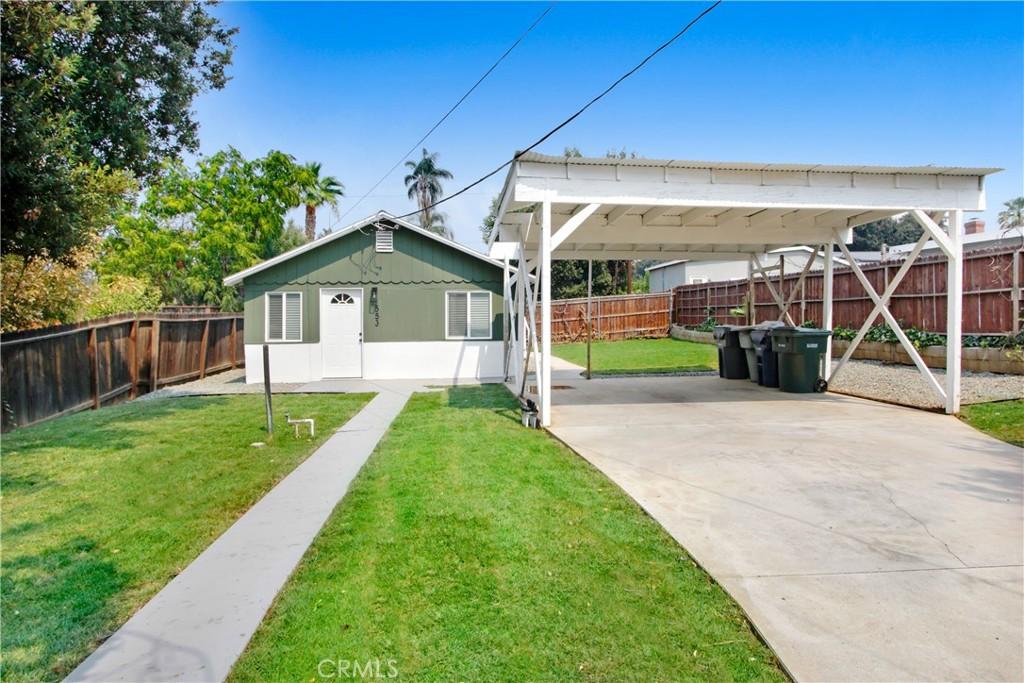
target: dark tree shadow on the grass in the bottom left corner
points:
(57, 603)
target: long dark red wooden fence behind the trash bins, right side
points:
(993, 282)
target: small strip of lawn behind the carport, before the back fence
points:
(643, 357)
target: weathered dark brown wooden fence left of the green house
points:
(56, 371)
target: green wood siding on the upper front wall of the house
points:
(411, 285)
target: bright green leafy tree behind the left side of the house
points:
(196, 228)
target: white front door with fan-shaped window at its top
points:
(342, 332)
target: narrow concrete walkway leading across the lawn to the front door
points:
(198, 626)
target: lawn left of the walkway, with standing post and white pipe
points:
(103, 508)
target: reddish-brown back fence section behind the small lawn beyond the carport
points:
(623, 317)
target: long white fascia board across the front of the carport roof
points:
(742, 195)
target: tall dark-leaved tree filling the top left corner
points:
(93, 94)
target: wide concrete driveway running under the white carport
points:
(866, 542)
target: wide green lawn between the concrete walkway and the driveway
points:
(470, 548)
